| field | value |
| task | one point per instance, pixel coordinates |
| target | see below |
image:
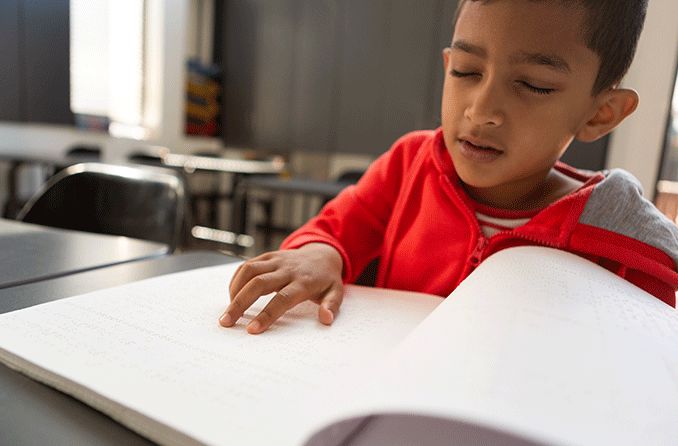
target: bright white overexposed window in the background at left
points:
(107, 65)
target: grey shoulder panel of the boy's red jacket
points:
(617, 204)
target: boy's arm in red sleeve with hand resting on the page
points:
(327, 251)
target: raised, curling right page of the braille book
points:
(536, 344)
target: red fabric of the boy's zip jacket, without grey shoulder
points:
(410, 210)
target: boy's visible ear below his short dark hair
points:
(613, 106)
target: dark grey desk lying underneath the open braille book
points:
(32, 413)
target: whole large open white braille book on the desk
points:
(537, 346)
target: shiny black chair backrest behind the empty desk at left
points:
(135, 201)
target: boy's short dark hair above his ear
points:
(611, 30)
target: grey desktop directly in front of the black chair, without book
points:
(29, 253)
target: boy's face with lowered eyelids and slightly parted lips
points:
(518, 79)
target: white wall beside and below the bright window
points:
(167, 35)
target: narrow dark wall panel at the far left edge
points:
(10, 75)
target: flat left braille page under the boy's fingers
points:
(152, 355)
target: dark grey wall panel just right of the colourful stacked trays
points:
(259, 69)
